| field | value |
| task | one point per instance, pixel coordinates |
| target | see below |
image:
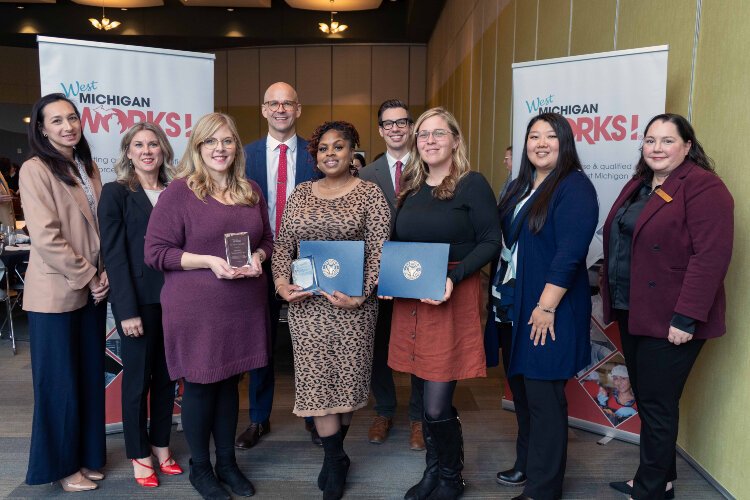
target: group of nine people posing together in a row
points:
(152, 244)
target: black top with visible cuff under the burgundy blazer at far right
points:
(620, 253)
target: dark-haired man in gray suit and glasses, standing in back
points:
(396, 127)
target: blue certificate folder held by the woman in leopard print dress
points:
(339, 265)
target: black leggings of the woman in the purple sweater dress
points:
(211, 409)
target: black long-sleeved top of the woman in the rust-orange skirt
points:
(469, 222)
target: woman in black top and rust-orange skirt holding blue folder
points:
(440, 341)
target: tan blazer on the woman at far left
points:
(64, 240)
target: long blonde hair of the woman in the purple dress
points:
(193, 169)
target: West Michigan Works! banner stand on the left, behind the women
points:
(115, 86)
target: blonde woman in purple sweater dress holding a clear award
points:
(215, 316)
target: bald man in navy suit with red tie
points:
(277, 163)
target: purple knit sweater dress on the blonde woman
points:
(213, 328)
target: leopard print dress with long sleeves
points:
(332, 346)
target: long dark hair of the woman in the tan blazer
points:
(62, 168)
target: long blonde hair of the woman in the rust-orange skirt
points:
(416, 171)
